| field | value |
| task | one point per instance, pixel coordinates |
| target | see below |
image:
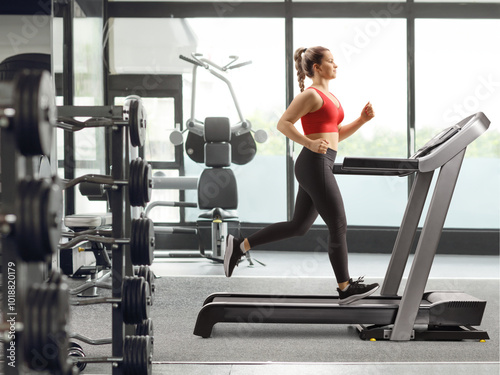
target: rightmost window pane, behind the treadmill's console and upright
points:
(453, 80)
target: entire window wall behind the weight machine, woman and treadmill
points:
(456, 72)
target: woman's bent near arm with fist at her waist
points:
(304, 103)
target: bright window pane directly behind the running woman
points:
(371, 59)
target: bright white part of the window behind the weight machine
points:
(260, 91)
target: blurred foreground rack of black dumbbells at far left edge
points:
(27, 116)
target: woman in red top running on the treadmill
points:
(321, 114)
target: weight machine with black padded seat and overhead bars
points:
(217, 144)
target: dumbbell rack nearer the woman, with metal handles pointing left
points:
(128, 185)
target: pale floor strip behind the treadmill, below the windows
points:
(299, 264)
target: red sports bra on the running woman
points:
(324, 120)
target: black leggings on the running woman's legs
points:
(318, 193)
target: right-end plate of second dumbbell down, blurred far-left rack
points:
(52, 207)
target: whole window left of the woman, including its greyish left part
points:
(259, 88)
